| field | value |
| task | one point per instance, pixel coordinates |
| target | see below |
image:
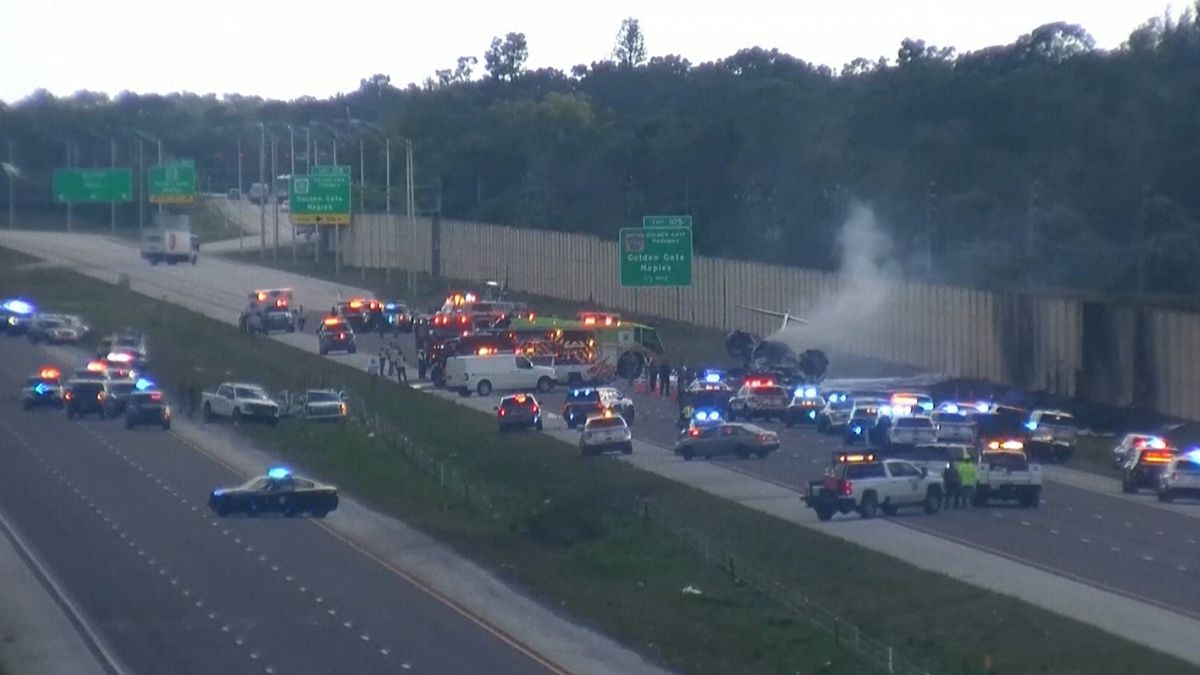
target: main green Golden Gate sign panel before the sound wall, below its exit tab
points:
(656, 256)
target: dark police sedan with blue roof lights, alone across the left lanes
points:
(279, 492)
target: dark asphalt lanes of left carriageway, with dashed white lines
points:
(121, 518)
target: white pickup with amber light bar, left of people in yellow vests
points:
(867, 483)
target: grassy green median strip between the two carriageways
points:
(562, 528)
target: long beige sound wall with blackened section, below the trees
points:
(1109, 354)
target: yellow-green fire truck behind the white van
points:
(628, 348)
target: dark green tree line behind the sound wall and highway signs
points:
(1046, 162)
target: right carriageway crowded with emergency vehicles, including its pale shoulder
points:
(1131, 547)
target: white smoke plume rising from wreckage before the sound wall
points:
(867, 274)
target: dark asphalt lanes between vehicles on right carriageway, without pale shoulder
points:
(1123, 545)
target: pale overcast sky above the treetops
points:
(319, 49)
